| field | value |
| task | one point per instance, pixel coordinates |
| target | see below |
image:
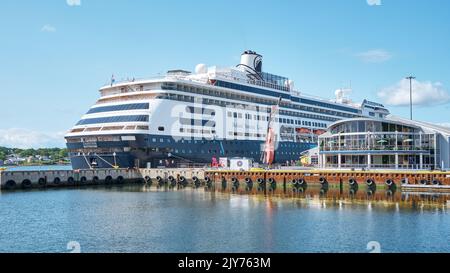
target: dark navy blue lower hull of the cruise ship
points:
(156, 150)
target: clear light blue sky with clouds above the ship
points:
(54, 55)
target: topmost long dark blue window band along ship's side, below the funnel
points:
(228, 95)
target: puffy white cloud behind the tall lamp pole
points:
(424, 93)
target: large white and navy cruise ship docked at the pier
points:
(198, 117)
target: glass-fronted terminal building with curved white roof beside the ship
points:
(389, 143)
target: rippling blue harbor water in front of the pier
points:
(148, 219)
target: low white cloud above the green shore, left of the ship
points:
(23, 138)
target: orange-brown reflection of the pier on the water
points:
(324, 194)
